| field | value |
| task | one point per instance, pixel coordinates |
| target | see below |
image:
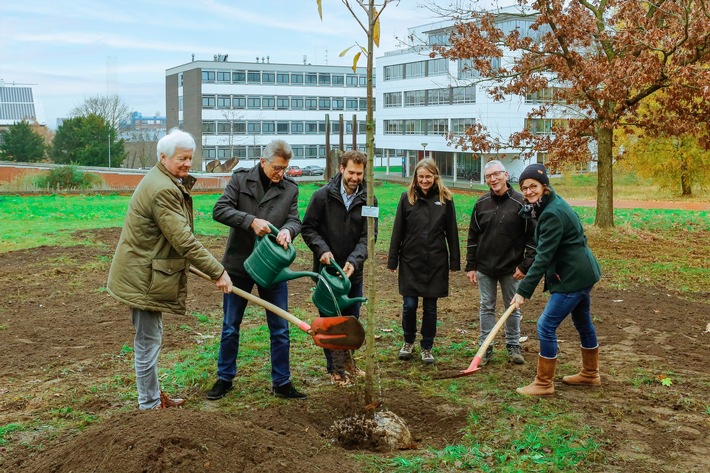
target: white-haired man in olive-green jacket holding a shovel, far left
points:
(154, 253)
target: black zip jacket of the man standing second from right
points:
(500, 240)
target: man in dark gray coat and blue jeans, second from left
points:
(253, 200)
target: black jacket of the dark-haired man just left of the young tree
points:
(329, 226)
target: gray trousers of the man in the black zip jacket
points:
(488, 286)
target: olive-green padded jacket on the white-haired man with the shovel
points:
(158, 245)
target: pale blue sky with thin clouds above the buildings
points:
(74, 49)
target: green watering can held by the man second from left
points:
(268, 263)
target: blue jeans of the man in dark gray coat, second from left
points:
(234, 307)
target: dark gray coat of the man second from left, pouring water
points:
(245, 199)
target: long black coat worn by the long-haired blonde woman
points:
(425, 245)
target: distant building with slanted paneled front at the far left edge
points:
(19, 102)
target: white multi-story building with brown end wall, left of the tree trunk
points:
(234, 109)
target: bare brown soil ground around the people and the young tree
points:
(60, 337)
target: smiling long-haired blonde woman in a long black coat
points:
(425, 246)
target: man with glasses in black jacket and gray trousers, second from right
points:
(501, 248)
